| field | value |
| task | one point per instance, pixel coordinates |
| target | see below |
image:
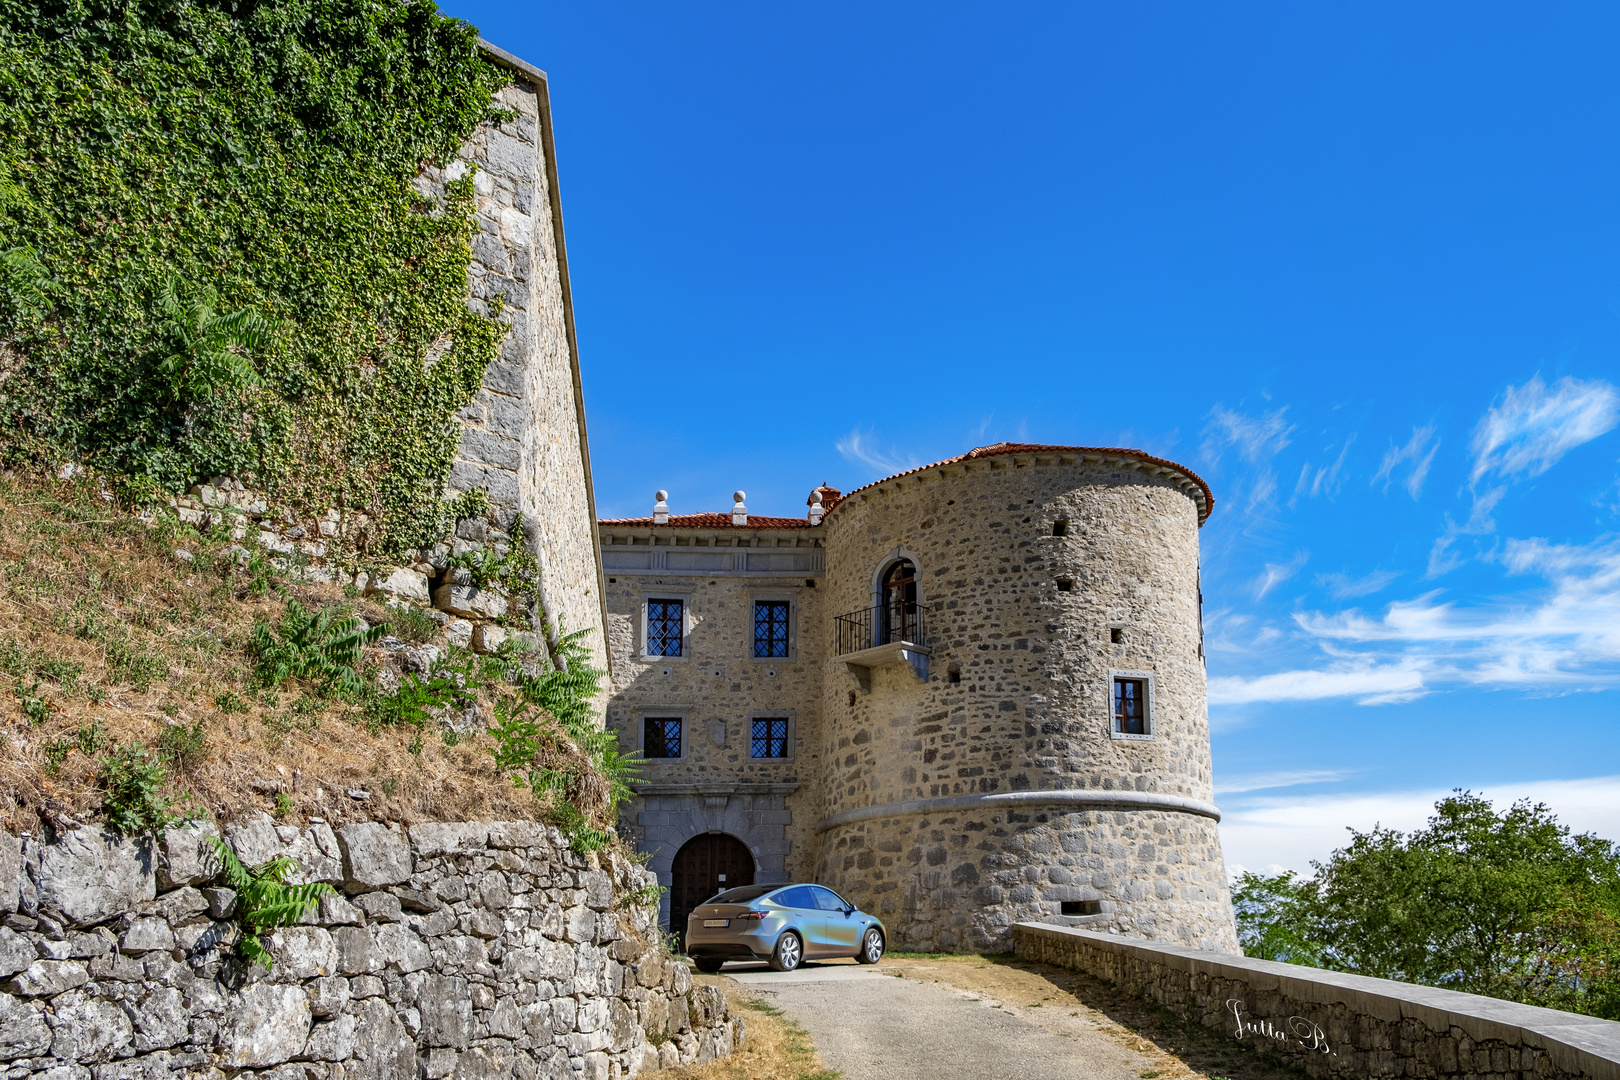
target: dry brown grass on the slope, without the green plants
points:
(101, 624)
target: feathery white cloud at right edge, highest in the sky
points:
(1532, 427)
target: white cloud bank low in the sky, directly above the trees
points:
(1289, 831)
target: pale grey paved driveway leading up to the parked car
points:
(877, 1027)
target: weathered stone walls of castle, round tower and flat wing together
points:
(974, 778)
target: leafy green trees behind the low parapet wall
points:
(1504, 904)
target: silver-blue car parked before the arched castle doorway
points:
(782, 924)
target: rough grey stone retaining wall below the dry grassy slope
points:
(474, 950)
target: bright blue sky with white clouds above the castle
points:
(1357, 265)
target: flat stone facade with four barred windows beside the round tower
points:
(717, 686)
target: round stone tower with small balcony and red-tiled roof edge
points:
(1015, 723)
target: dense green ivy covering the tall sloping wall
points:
(169, 158)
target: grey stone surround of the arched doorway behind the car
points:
(754, 814)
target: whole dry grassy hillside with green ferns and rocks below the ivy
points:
(155, 671)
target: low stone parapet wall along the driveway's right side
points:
(1331, 1024)
